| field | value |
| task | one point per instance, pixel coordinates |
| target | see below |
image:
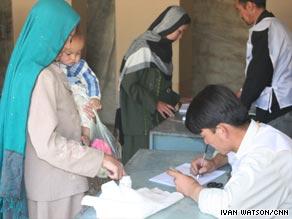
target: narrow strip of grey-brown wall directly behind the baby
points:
(101, 54)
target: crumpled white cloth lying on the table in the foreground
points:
(122, 202)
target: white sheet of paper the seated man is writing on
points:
(166, 179)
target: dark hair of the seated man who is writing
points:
(213, 105)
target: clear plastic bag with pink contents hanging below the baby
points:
(103, 139)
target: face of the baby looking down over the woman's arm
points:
(71, 53)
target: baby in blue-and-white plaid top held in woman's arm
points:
(82, 80)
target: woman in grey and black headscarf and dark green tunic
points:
(146, 95)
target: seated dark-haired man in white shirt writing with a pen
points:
(261, 168)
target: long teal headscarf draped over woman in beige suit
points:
(43, 35)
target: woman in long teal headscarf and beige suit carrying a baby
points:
(44, 167)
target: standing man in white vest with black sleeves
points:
(268, 66)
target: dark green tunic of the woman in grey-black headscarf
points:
(140, 92)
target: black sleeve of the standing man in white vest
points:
(260, 69)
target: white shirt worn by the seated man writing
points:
(261, 175)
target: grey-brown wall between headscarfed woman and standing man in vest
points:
(219, 38)
